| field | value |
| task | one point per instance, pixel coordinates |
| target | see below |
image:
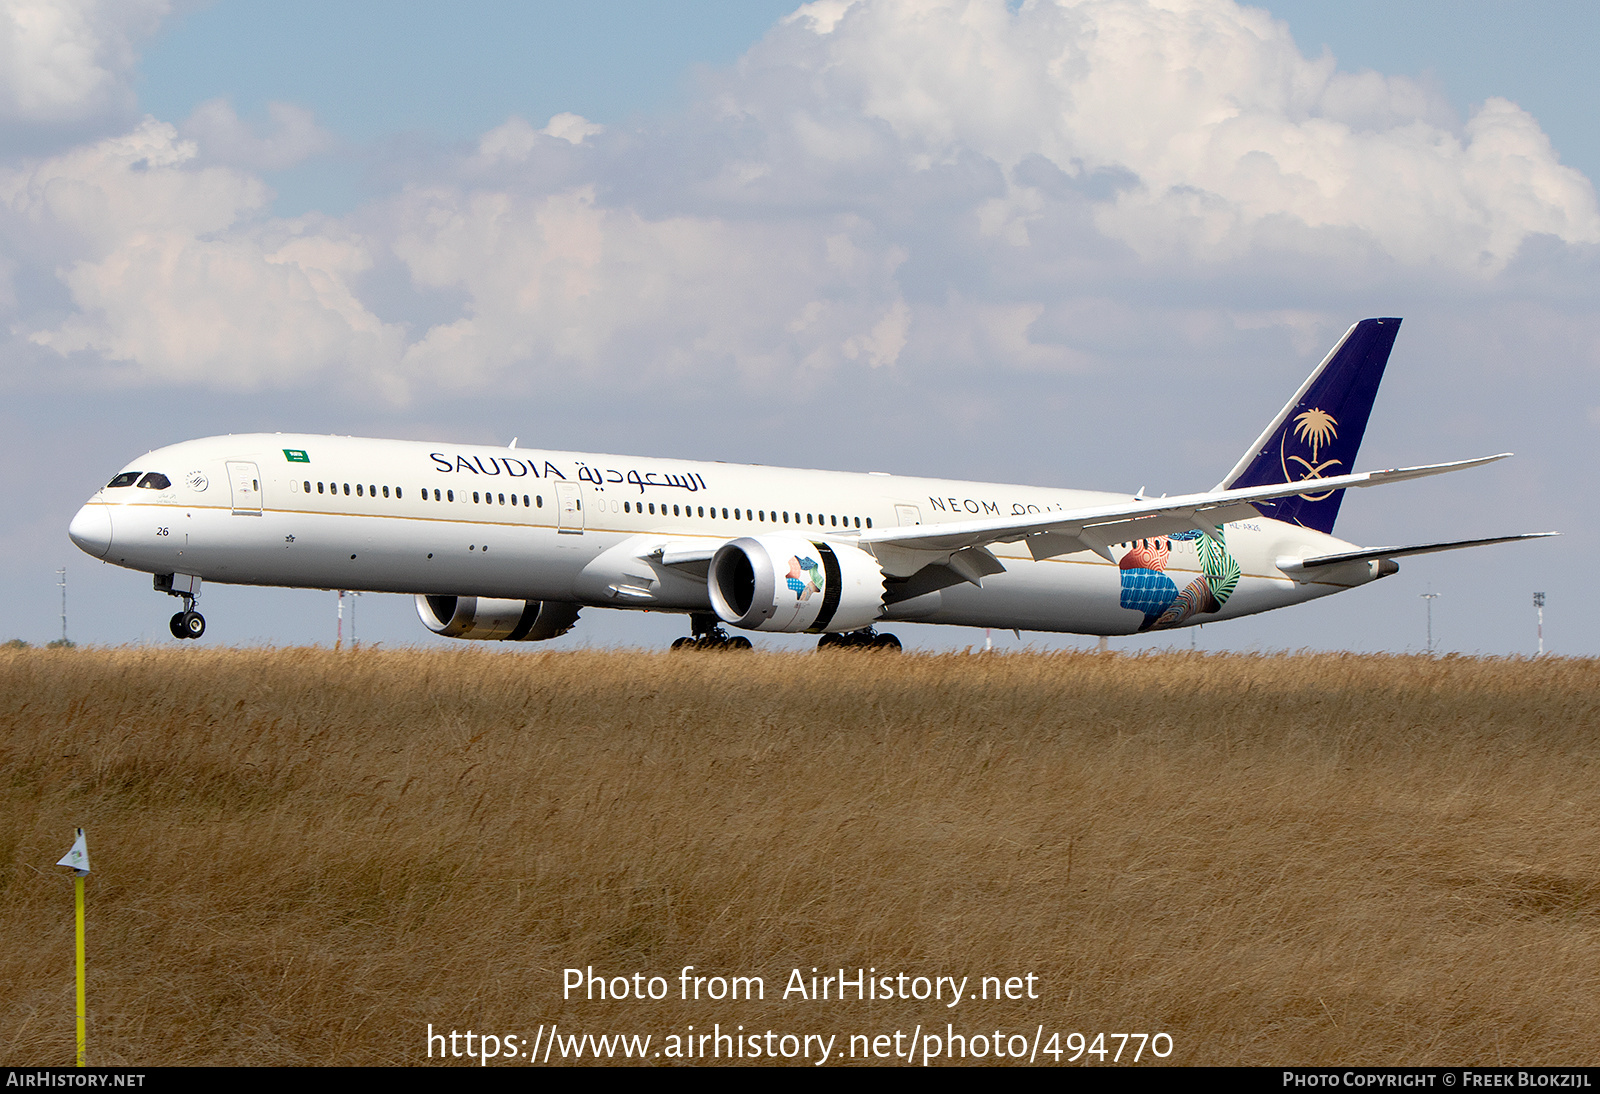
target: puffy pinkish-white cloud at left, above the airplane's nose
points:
(177, 277)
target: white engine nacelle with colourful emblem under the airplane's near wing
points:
(793, 585)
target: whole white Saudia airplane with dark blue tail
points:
(513, 543)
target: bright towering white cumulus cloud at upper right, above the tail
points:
(1231, 138)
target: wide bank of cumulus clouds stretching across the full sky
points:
(879, 185)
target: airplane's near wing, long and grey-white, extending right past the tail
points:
(1095, 529)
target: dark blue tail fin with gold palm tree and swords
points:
(1321, 429)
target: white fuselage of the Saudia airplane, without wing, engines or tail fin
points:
(518, 524)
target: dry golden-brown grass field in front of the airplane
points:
(308, 858)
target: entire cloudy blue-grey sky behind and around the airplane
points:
(1087, 244)
